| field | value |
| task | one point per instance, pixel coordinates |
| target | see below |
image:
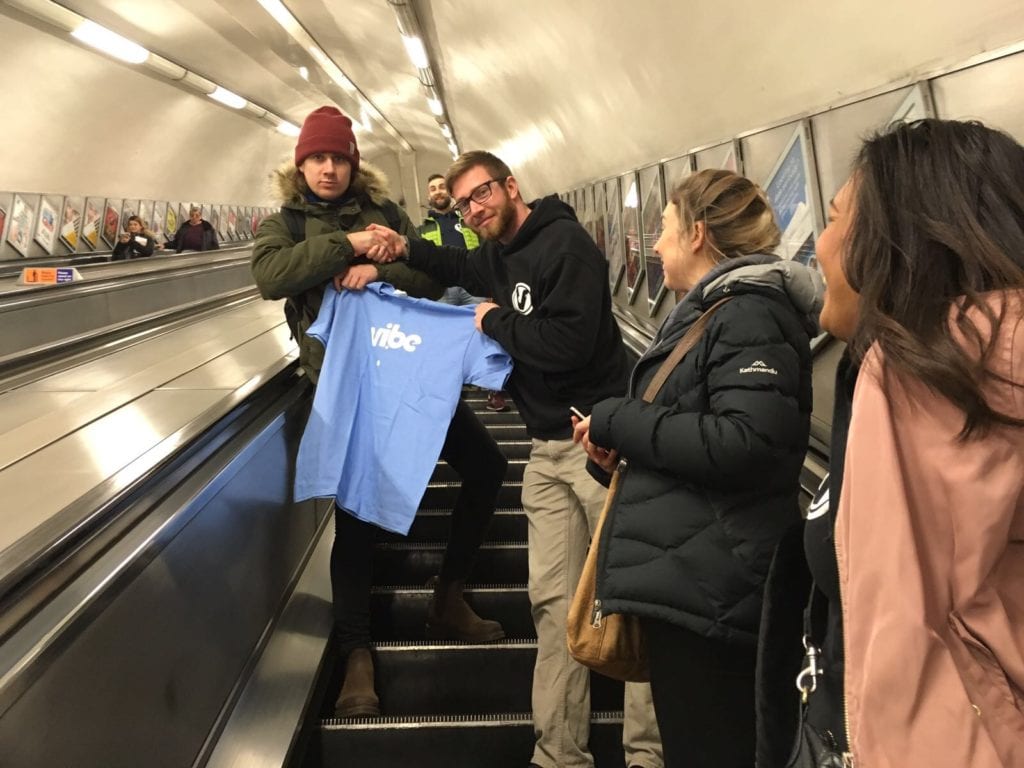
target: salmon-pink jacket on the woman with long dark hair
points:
(930, 540)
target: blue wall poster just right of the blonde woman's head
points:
(793, 192)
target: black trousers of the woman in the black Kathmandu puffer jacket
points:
(704, 698)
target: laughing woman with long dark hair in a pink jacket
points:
(924, 261)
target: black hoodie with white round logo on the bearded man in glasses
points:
(554, 316)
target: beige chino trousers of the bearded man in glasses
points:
(563, 504)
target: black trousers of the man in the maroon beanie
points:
(472, 451)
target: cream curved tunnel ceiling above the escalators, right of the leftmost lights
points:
(573, 91)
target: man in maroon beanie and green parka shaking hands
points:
(329, 199)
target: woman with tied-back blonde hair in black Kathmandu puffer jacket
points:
(712, 467)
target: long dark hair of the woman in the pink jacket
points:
(938, 222)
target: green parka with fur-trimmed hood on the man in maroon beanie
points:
(301, 272)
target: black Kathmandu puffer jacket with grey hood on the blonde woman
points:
(714, 462)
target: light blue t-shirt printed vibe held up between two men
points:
(393, 374)
